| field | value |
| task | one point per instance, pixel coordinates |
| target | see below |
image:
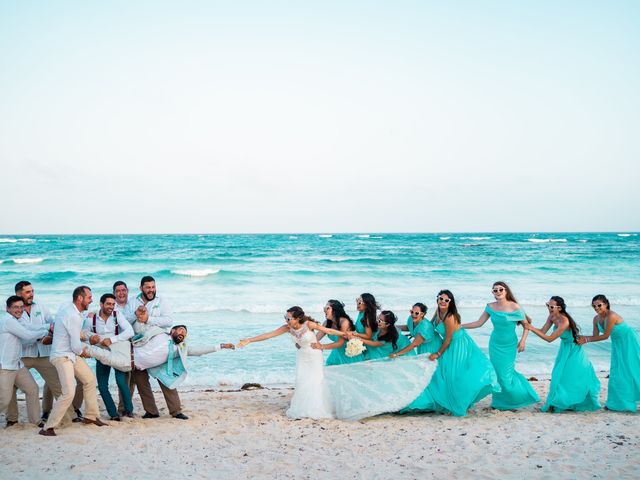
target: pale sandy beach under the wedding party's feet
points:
(244, 434)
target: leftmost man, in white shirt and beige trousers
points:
(12, 370)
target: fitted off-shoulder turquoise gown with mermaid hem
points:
(515, 390)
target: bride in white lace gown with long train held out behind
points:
(351, 391)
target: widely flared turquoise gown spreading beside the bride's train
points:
(463, 377)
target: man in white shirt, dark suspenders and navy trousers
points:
(104, 329)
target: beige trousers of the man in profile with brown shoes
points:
(68, 372)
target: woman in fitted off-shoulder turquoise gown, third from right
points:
(505, 313)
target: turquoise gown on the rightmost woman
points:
(624, 376)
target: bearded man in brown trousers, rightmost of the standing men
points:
(151, 310)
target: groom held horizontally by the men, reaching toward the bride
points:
(163, 355)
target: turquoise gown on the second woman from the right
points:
(574, 384)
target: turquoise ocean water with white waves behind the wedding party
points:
(226, 287)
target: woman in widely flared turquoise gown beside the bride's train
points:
(464, 375)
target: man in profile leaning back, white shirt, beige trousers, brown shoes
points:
(66, 353)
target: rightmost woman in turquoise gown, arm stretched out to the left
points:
(624, 376)
